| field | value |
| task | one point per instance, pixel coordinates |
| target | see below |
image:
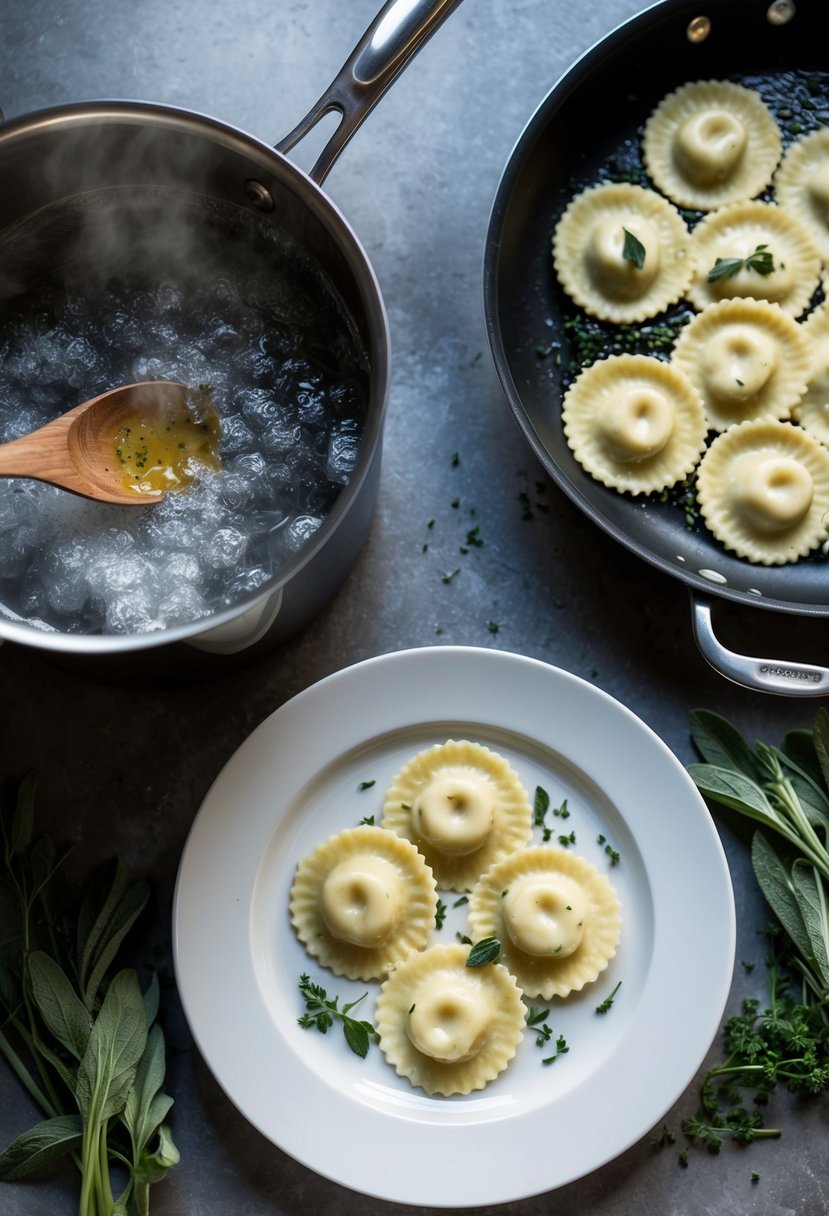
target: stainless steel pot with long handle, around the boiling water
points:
(65, 153)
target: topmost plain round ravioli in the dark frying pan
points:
(712, 143)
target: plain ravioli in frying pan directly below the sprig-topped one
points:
(748, 359)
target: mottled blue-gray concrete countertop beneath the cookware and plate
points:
(125, 768)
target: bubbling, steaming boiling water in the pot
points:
(114, 290)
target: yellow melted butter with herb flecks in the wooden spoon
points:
(163, 451)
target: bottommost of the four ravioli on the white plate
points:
(447, 1027)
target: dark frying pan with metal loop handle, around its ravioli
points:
(594, 114)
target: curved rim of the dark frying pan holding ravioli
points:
(523, 148)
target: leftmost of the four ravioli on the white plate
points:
(363, 900)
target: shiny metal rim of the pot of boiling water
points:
(379, 347)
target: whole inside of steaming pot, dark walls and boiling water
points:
(136, 250)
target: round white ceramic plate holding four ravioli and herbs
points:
(297, 780)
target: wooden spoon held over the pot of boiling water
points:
(77, 452)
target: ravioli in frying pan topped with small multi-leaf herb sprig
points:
(738, 233)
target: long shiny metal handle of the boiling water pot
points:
(394, 37)
